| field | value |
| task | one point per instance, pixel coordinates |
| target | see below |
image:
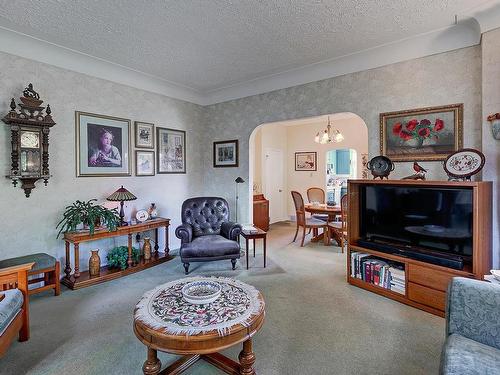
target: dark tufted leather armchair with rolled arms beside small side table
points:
(206, 233)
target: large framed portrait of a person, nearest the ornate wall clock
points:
(102, 145)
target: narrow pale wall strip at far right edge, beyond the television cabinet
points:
(491, 147)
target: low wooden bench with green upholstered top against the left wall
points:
(44, 264)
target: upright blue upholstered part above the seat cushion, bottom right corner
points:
(473, 310)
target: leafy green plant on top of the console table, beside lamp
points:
(89, 214)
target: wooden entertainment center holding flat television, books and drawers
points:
(407, 239)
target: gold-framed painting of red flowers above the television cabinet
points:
(421, 134)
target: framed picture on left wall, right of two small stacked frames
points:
(171, 151)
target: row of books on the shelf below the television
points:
(381, 272)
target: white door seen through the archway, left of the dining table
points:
(274, 185)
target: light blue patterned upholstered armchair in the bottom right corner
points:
(472, 328)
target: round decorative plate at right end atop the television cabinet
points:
(464, 163)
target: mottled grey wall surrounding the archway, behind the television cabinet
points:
(447, 78)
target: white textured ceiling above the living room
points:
(209, 44)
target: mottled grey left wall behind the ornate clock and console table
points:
(28, 224)
